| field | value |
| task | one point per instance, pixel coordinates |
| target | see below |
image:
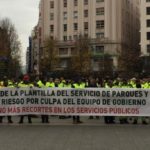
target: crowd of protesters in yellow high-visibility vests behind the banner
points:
(79, 82)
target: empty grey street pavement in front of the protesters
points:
(63, 135)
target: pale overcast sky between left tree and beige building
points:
(24, 15)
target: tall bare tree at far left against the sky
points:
(10, 47)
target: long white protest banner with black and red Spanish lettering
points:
(83, 102)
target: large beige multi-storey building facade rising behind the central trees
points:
(112, 26)
